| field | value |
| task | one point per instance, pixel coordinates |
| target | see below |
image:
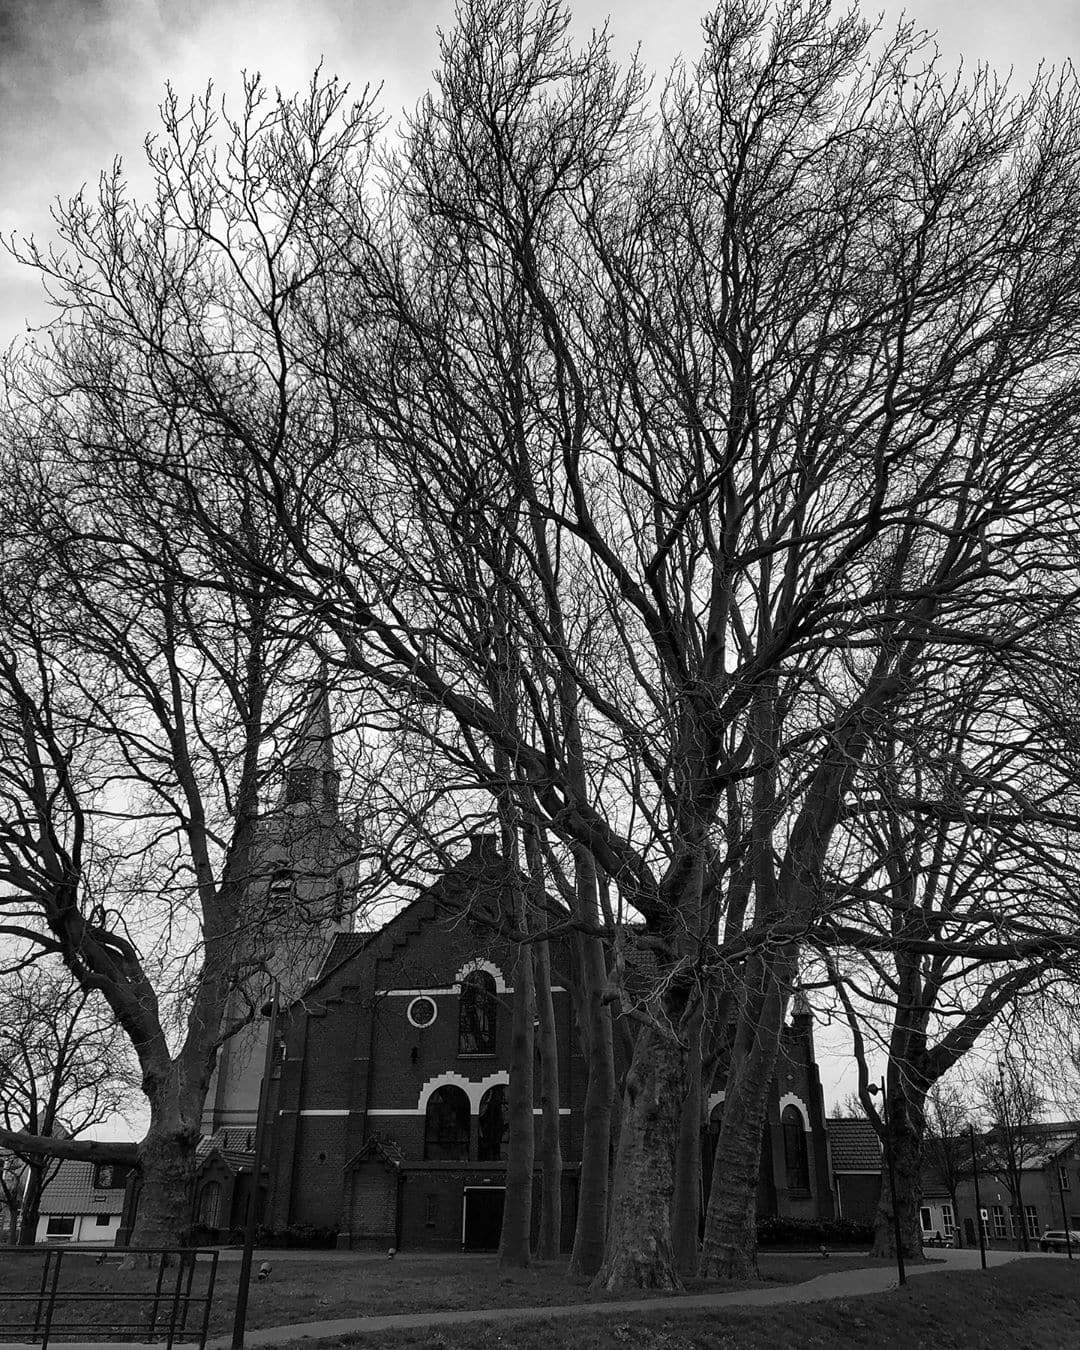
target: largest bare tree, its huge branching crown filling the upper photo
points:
(767, 395)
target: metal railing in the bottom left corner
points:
(176, 1306)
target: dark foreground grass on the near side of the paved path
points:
(1025, 1306)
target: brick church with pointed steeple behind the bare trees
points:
(388, 1096)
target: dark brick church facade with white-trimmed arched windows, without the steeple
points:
(389, 1096)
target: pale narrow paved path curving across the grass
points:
(842, 1285)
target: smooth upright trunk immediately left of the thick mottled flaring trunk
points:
(592, 1224)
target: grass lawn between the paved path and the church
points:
(322, 1289)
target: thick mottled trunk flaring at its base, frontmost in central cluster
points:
(639, 1253)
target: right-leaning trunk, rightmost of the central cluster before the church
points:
(731, 1221)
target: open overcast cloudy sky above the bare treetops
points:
(80, 83)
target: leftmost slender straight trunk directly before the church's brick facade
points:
(515, 1240)
